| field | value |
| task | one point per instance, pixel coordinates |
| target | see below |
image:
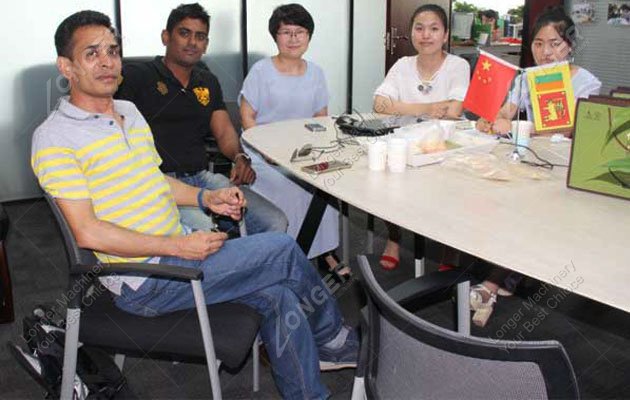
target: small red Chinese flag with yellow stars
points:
(489, 86)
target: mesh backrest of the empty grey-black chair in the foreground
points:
(412, 358)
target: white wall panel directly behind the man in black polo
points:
(144, 20)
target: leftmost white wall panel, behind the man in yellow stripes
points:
(29, 84)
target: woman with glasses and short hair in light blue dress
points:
(282, 87)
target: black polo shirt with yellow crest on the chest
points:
(179, 116)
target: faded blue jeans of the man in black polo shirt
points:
(261, 216)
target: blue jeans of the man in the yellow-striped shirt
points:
(271, 274)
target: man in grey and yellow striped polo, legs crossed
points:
(96, 156)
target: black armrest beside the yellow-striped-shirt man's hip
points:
(155, 270)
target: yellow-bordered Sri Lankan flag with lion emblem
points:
(551, 95)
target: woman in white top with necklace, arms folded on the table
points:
(432, 84)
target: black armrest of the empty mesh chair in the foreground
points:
(411, 290)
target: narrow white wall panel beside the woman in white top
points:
(368, 52)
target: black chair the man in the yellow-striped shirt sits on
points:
(216, 334)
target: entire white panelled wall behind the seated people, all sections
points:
(30, 83)
